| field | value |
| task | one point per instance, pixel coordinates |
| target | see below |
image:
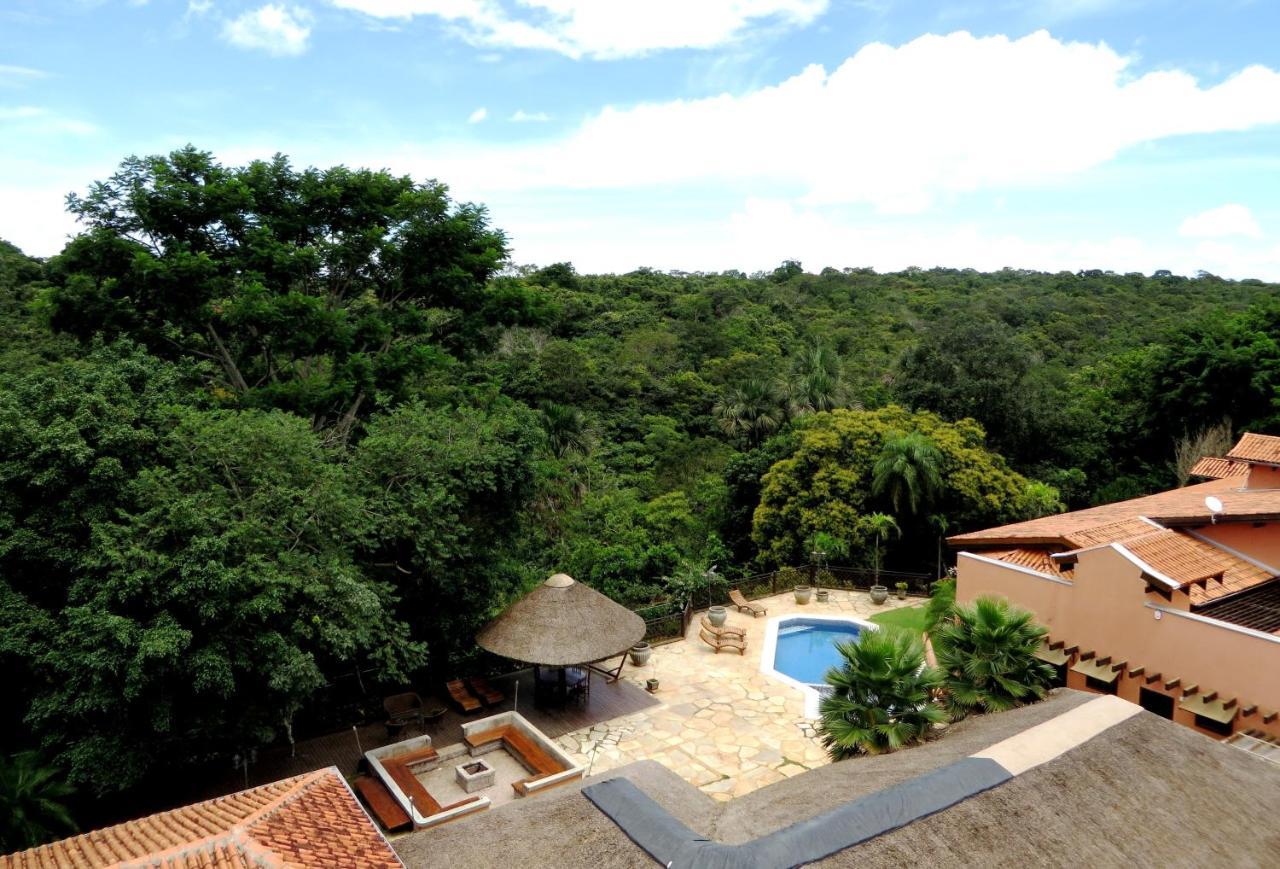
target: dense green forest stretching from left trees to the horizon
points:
(264, 429)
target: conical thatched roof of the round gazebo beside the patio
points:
(560, 624)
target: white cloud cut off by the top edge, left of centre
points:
(619, 29)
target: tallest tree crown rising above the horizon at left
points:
(323, 292)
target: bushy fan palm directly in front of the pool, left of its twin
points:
(881, 696)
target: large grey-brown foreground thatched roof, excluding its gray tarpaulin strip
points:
(1136, 795)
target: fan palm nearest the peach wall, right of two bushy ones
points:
(988, 655)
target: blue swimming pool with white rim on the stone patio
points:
(801, 650)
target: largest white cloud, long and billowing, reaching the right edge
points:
(894, 127)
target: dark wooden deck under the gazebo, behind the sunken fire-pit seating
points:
(607, 701)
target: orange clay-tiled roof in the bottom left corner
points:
(308, 821)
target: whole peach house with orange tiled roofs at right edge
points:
(1172, 601)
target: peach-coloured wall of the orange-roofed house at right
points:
(1104, 611)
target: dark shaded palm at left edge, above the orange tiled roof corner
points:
(31, 803)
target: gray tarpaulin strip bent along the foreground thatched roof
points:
(673, 844)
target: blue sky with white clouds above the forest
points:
(697, 135)
